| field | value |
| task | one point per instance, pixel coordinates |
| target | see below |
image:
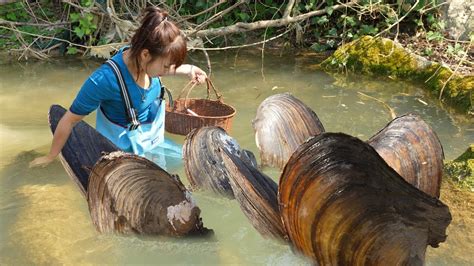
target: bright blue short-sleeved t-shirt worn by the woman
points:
(102, 89)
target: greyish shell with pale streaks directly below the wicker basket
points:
(202, 154)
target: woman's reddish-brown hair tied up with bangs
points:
(160, 36)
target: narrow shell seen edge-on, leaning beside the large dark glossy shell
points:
(256, 194)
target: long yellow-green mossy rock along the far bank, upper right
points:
(381, 56)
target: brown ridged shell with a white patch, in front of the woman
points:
(130, 194)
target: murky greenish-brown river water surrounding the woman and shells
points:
(44, 219)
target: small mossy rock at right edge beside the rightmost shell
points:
(461, 170)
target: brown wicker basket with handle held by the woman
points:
(188, 114)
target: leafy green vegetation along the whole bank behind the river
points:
(323, 32)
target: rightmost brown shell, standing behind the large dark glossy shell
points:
(412, 148)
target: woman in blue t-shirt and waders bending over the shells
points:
(127, 91)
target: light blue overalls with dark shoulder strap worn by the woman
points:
(144, 139)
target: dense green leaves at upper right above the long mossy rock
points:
(372, 17)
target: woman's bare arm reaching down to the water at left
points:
(61, 135)
